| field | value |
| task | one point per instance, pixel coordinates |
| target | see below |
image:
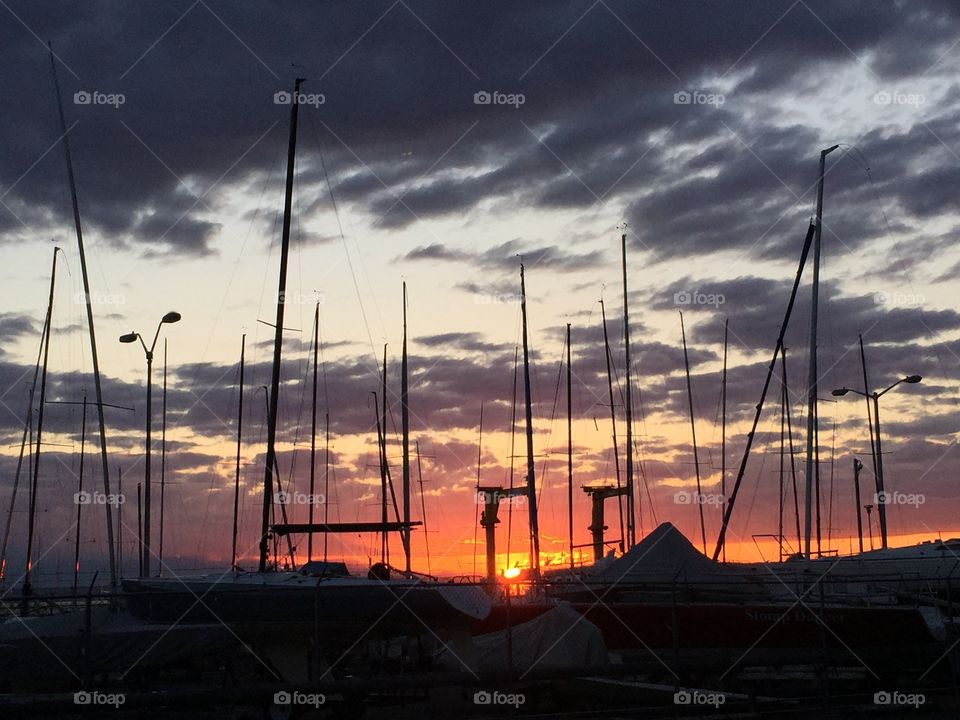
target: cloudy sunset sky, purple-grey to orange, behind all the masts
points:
(440, 146)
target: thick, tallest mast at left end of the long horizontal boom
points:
(278, 335)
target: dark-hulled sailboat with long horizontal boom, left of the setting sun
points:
(323, 595)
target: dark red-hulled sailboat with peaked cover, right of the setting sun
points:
(663, 595)
